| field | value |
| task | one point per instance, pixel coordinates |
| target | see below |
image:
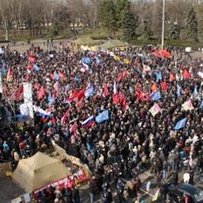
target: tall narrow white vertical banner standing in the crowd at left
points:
(27, 94)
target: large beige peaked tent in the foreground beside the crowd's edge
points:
(38, 171)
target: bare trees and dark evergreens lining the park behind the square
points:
(137, 19)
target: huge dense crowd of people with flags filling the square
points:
(121, 112)
